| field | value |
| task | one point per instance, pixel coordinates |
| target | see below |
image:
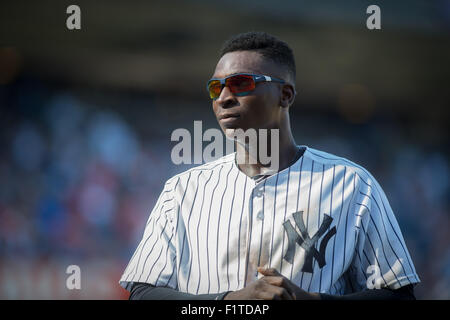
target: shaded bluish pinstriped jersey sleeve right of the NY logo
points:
(381, 259)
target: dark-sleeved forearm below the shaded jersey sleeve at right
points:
(403, 293)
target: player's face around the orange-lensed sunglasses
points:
(260, 109)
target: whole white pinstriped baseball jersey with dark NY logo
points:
(324, 223)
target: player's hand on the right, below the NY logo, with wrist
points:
(273, 277)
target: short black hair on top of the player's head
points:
(267, 45)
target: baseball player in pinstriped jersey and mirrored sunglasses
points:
(318, 227)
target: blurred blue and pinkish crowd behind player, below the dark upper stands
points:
(78, 180)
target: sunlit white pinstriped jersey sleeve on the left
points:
(153, 261)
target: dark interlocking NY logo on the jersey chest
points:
(307, 243)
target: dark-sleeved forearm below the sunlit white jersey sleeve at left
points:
(145, 291)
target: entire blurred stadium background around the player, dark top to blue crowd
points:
(86, 118)
